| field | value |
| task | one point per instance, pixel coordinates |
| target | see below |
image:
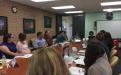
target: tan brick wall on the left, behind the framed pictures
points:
(15, 20)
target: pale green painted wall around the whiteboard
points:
(90, 18)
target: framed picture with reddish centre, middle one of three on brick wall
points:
(28, 26)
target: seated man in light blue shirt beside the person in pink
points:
(40, 41)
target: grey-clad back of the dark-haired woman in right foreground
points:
(100, 67)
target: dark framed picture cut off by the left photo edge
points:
(3, 25)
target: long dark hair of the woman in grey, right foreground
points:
(94, 51)
